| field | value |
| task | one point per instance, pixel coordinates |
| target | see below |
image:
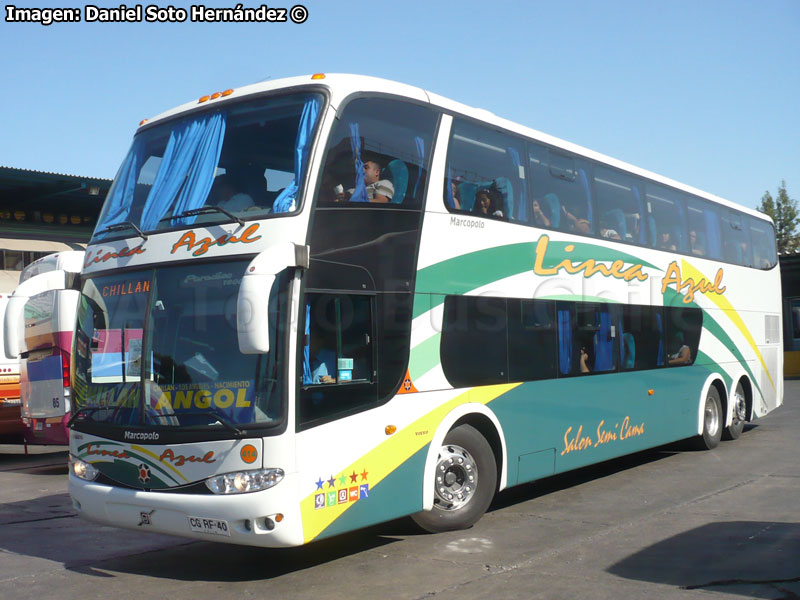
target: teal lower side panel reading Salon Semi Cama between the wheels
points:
(595, 418)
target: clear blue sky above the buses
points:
(706, 92)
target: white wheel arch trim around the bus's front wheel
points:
(487, 424)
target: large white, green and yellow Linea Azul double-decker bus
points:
(315, 304)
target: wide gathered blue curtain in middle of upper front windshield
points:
(187, 170)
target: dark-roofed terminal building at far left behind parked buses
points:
(42, 213)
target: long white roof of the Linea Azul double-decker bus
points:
(341, 86)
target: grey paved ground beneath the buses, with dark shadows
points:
(667, 523)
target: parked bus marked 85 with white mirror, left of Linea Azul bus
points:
(39, 324)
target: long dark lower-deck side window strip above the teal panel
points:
(498, 340)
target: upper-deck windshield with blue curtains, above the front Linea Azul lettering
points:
(245, 161)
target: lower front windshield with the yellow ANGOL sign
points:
(168, 336)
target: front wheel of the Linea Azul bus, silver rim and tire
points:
(466, 479)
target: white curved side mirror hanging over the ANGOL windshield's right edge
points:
(252, 305)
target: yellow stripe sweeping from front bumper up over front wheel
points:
(389, 455)
